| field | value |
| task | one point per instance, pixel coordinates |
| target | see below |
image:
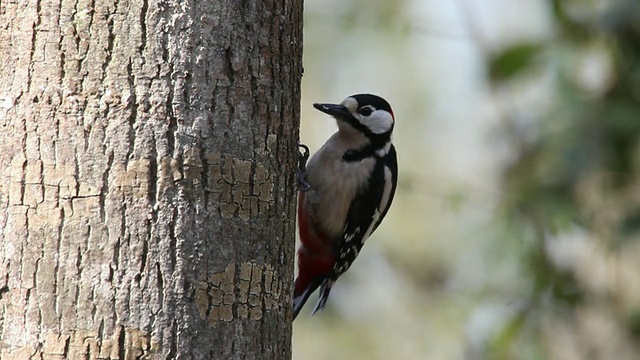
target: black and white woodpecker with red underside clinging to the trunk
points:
(349, 186)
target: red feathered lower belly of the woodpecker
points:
(315, 255)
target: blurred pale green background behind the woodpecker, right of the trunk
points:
(515, 232)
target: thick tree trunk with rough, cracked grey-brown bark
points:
(147, 154)
